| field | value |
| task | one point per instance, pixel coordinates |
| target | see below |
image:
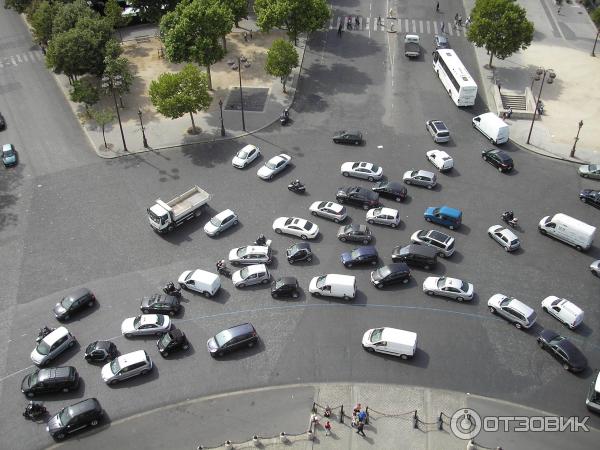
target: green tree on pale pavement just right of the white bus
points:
(500, 26)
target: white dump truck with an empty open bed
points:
(165, 216)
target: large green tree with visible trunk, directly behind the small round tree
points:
(191, 33)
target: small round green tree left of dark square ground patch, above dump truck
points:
(176, 94)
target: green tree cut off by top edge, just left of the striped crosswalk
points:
(295, 16)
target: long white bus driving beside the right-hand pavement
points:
(455, 78)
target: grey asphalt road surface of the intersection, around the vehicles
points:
(69, 219)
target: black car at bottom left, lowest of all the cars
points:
(75, 417)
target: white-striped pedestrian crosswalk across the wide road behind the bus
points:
(399, 24)
